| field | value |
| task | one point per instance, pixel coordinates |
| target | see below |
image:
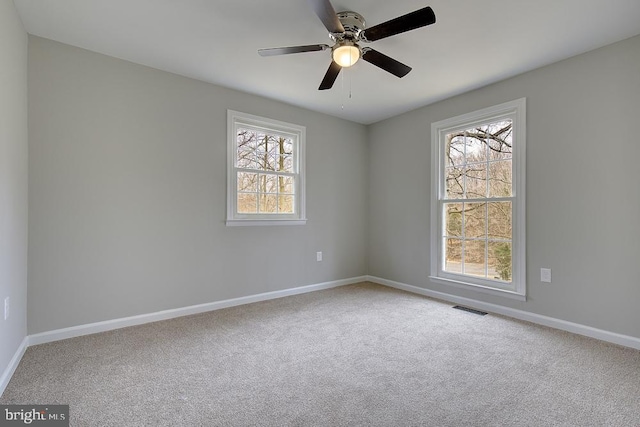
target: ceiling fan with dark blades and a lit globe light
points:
(347, 30)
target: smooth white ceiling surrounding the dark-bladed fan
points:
(473, 43)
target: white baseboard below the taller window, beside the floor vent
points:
(576, 328)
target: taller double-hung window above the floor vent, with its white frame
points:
(478, 200)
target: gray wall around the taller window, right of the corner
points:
(583, 186)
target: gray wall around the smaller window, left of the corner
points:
(127, 194)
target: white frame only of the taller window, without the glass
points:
(516, 111)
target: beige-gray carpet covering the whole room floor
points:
(357, 355)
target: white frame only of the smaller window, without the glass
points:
(236, 119)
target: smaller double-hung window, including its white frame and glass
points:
(265, 171)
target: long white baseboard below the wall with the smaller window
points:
(108, 325)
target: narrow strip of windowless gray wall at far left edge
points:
(13, 181)
